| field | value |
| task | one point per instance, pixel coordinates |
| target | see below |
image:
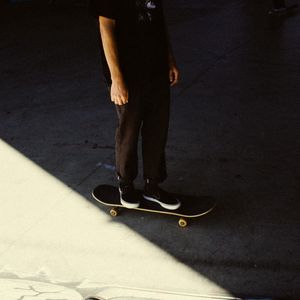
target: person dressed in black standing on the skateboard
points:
(139, 68)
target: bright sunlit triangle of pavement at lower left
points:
(51, 232)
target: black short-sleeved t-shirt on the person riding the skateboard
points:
(141, 37)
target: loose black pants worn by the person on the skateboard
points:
(147, 112)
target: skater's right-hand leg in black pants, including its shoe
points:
(154, 138)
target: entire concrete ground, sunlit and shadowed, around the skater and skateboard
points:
(234, 134)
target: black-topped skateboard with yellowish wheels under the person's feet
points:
(191, 206)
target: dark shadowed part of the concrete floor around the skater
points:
(234, 132)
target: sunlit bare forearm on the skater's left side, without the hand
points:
(107, 30)
